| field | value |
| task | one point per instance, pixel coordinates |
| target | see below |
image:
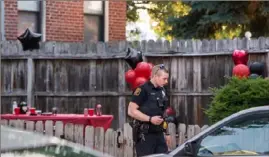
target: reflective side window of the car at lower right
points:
(246, 136)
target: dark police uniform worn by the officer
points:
(151, 101)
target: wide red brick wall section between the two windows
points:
(64, 20)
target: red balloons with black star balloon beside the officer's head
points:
(141, 70)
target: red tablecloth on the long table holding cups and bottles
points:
(96, 121)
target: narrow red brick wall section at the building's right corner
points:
(117, 20)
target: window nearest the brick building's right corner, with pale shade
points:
(93, 21)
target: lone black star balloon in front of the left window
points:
(29, 40)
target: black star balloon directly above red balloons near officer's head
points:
(133, 57)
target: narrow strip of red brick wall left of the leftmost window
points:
(11, 19)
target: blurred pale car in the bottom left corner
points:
(21, 143)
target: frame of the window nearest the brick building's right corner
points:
(102, 22)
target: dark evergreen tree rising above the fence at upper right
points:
(221, 19)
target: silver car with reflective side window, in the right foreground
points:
(244, 134)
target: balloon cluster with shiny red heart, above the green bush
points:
(241, 69)
